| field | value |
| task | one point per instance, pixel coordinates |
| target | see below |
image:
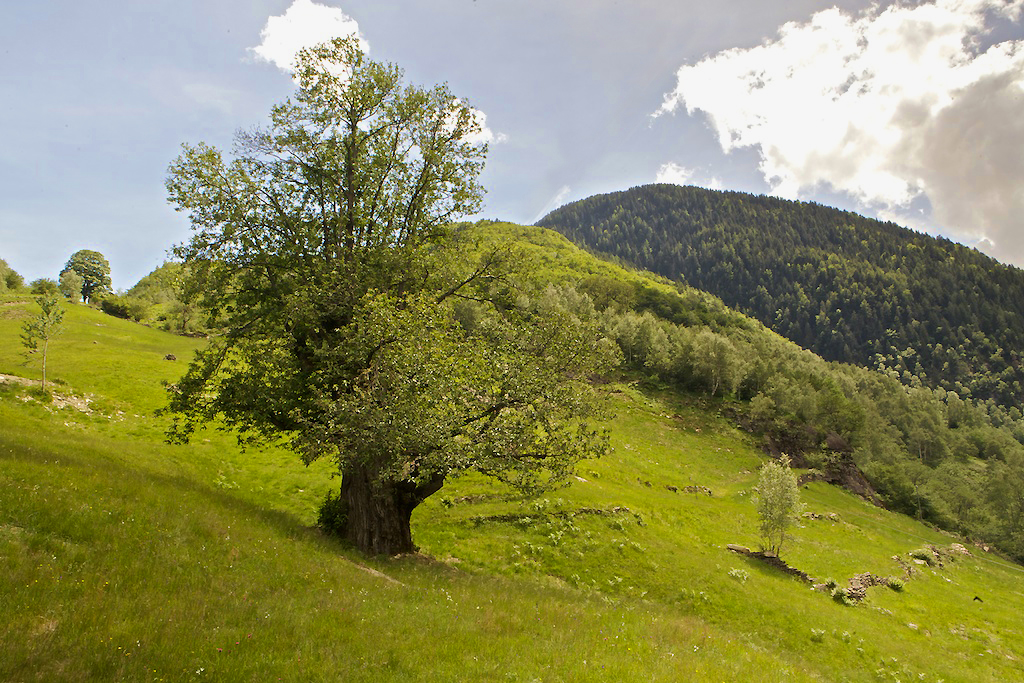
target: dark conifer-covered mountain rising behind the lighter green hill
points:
(850, 288)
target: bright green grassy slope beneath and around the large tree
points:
(124, 559)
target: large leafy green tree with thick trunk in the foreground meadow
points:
(361, 325)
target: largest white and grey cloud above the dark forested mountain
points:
(889, 107)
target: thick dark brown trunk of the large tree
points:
(379, 514)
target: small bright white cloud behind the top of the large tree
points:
(305, 24)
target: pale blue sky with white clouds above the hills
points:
(910, 112)
